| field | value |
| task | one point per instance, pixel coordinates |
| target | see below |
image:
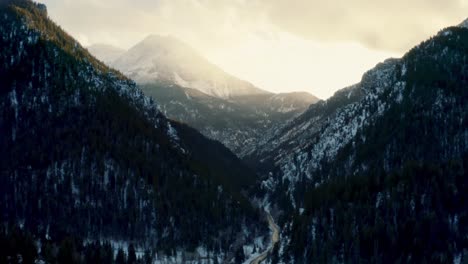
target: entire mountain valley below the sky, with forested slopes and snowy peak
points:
(155, 155)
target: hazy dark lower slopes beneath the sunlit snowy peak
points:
(238, 124)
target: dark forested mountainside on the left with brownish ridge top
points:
(84, 154)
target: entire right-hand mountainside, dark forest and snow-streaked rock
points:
(378, 173)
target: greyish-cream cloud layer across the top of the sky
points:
(385, 25)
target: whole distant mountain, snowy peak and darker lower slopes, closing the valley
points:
(192, 90)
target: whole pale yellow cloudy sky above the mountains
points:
(317, 46)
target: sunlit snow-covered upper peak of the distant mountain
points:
(159, 58)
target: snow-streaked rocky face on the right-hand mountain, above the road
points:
(333, 122)
